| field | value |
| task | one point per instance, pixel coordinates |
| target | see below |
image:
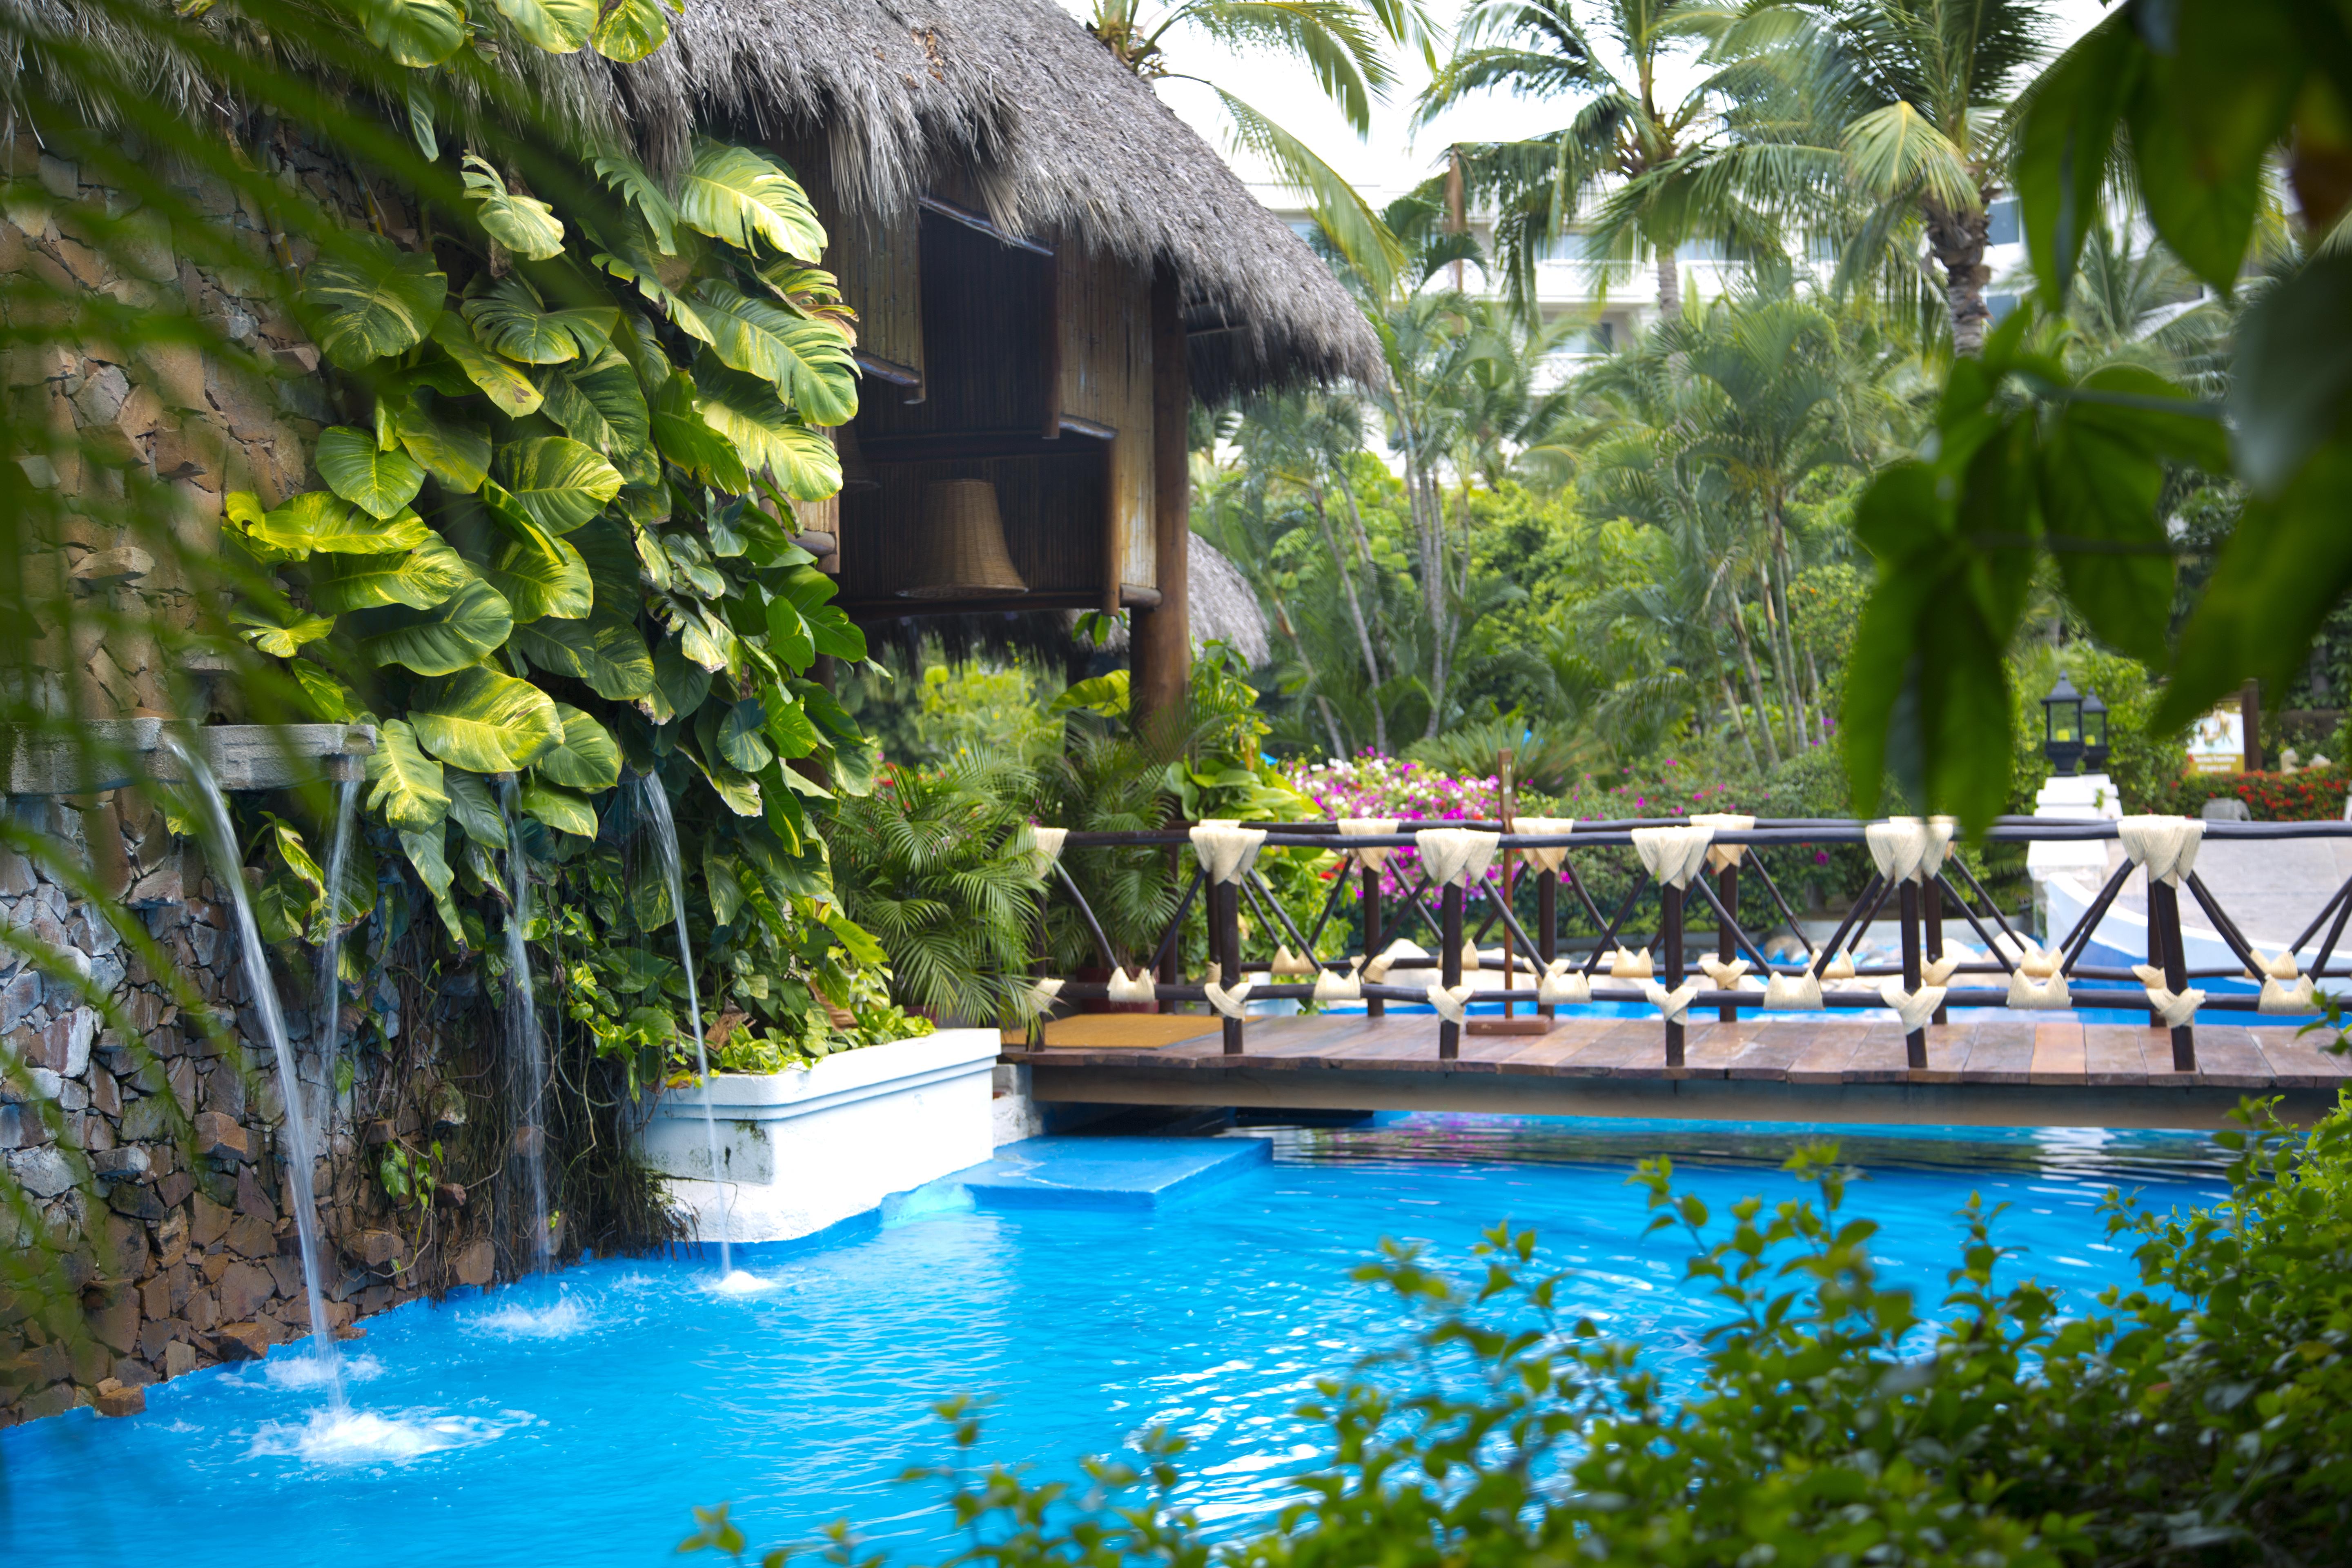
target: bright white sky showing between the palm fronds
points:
(1396, 156)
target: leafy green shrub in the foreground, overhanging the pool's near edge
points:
(2205, 1419)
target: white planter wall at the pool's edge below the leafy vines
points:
(813, 1146)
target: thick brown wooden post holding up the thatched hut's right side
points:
(1161, 643)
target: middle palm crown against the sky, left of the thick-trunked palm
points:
(1669, 170)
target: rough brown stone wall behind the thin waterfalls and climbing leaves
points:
(152, 1158)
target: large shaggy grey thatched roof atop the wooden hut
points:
(1020, 105)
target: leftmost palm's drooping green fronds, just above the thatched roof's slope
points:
(1342, 46)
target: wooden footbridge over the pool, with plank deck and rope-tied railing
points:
(1704, 1052)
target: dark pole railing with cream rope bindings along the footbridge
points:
(1645, 949)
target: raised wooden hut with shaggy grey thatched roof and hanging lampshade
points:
(1048, 267)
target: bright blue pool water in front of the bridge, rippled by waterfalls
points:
(582, 1421)
